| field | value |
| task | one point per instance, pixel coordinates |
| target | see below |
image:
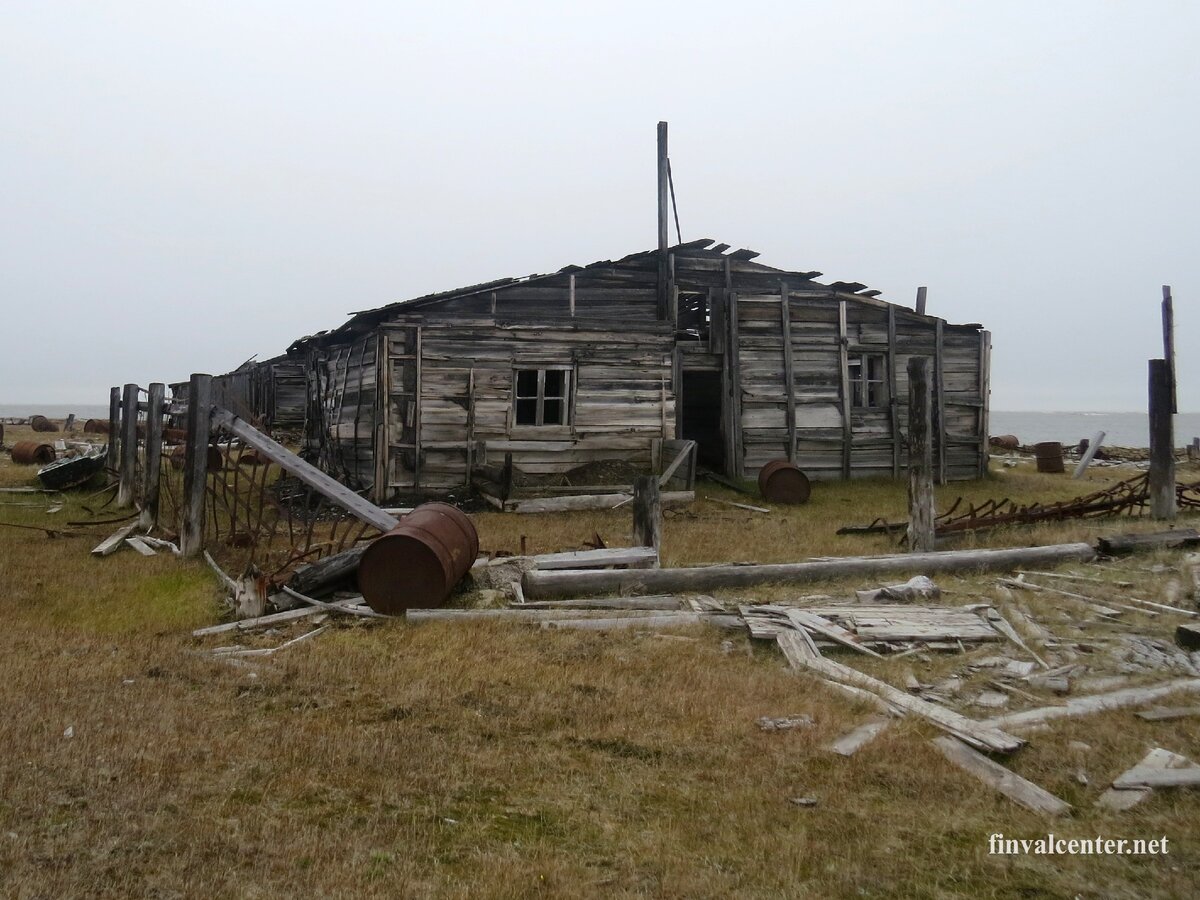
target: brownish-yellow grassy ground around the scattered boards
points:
(493, 761)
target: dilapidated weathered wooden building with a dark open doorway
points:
(601, 363)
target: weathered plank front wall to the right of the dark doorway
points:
(823, 329)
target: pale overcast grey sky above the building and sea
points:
(185, 185)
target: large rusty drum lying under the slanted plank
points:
(418, 563)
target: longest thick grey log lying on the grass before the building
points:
(542, 585)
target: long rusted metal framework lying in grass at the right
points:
(1127, 497)
